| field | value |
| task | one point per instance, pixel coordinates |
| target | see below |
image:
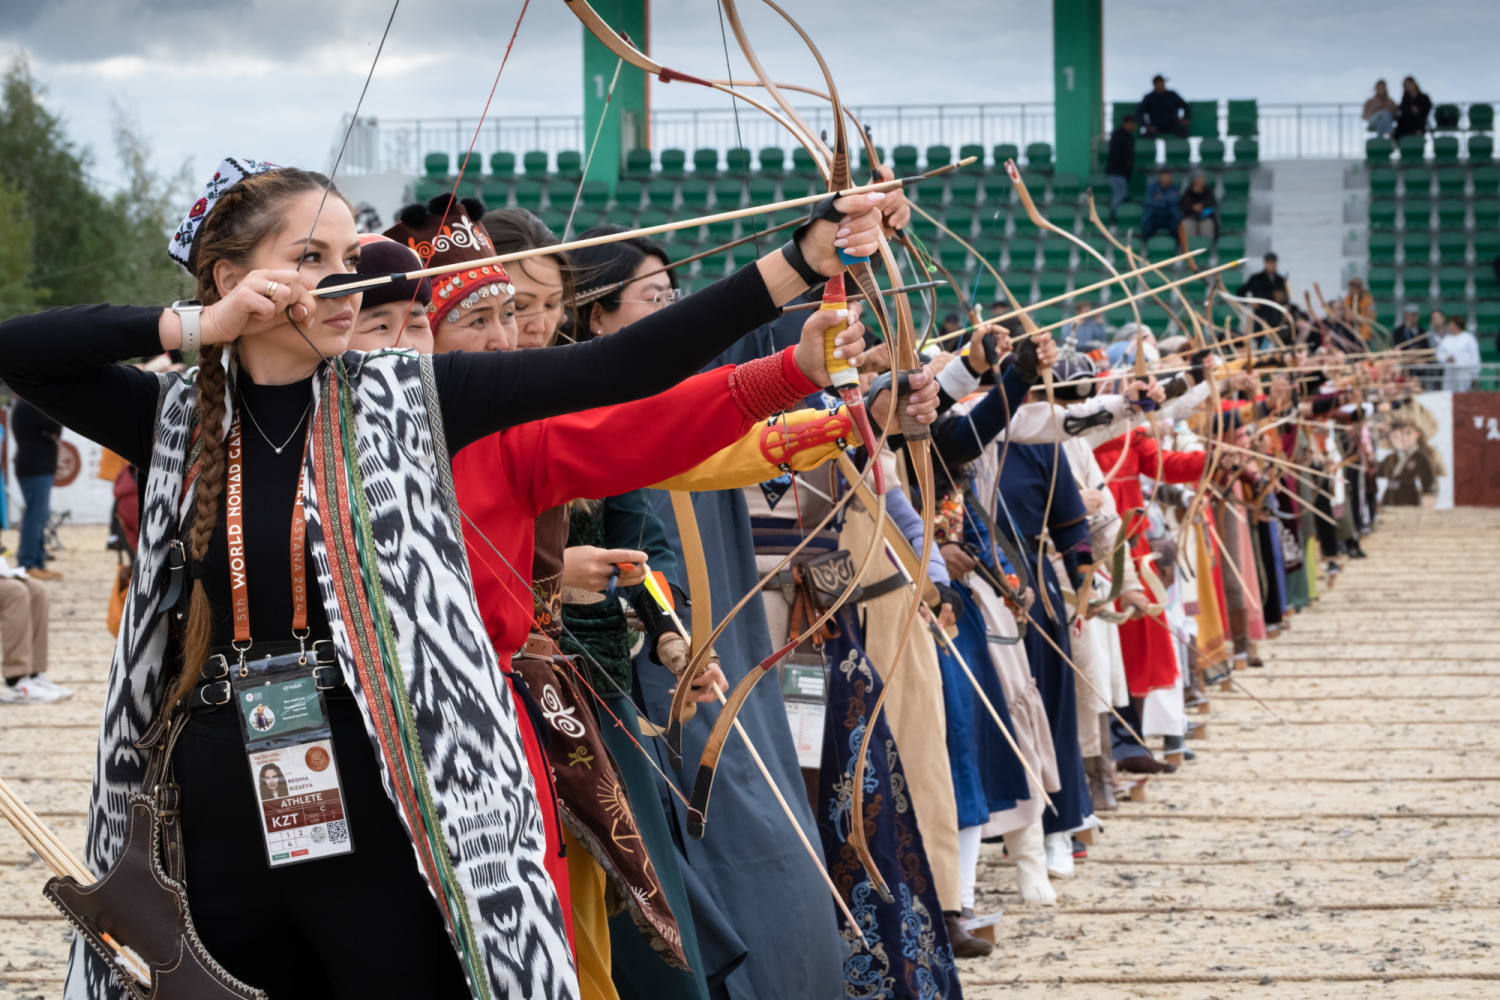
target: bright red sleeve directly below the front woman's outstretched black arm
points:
(616, 449)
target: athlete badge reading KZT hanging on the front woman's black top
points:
(289, 746)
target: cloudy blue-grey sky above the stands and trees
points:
(271, 79)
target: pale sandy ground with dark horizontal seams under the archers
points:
(1345, 852)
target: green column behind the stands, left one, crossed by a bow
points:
(628, 121)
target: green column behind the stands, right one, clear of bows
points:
(1078, 58)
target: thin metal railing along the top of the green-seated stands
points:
(1288, 131)
